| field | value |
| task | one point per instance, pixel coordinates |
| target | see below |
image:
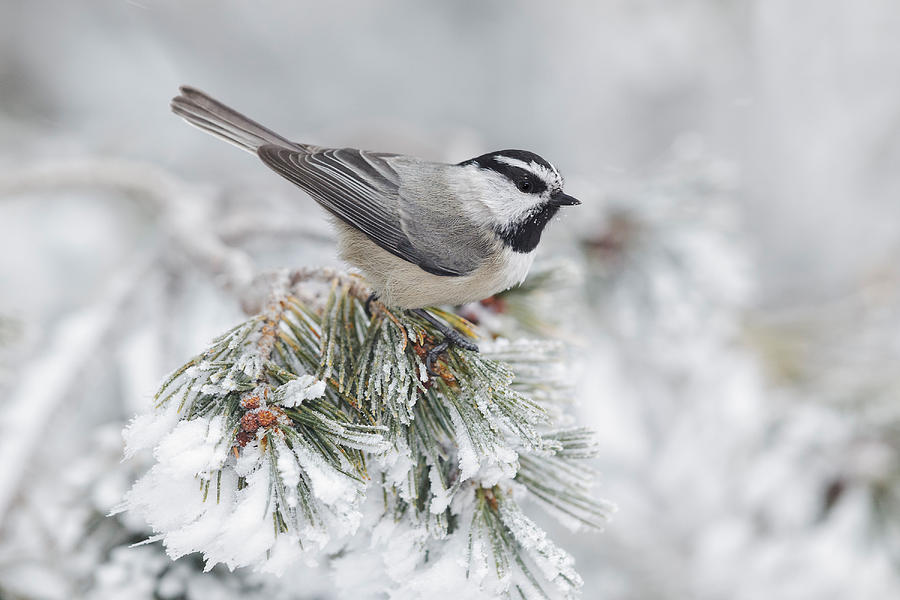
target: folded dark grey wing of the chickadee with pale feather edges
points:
(364, 190)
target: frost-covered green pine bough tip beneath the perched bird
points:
(313, 431)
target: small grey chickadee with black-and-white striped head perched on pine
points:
(423, 233)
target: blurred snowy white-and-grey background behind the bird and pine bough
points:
(732, 274)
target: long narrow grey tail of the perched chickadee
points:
(215, 118)
